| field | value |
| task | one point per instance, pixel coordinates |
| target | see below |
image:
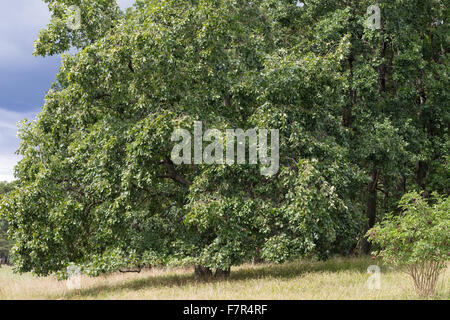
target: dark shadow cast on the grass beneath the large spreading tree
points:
(242, 273)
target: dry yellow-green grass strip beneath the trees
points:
(337, 278)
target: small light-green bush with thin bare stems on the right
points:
(417, 239)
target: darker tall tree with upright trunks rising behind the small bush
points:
(391, 125)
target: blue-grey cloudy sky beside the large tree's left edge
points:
(24, 79)
